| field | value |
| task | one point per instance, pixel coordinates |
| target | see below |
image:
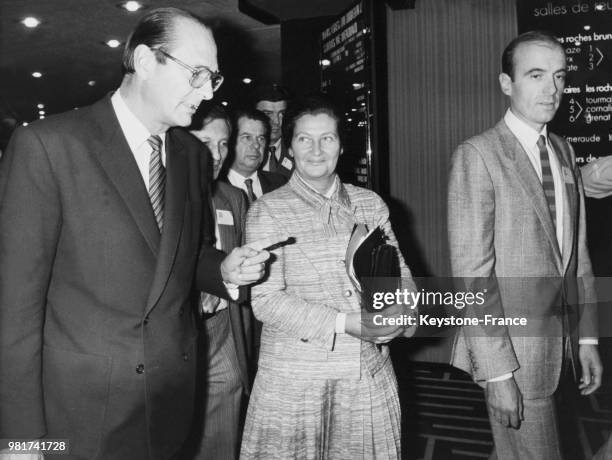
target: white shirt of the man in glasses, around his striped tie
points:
(136, 135)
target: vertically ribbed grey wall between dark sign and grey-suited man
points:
(443, 62)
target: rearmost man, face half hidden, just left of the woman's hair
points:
(272, 100)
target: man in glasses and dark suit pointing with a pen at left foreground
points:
(101, 217)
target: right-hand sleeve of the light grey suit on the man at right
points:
(587, 326)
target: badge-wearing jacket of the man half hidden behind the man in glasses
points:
(231, 199)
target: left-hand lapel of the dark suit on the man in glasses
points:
(118, 162)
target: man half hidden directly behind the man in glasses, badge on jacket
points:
(227, 358)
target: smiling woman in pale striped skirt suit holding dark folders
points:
(325, 387)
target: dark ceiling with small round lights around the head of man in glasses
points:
(69, 49)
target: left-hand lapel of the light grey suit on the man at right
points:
(530, 181)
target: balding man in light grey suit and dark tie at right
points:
(517, 224)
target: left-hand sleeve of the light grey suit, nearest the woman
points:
(471, 229)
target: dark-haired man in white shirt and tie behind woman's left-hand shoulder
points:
(249, 144)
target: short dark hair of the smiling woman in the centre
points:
(311, 104)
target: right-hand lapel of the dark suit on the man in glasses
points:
(174, 215)
